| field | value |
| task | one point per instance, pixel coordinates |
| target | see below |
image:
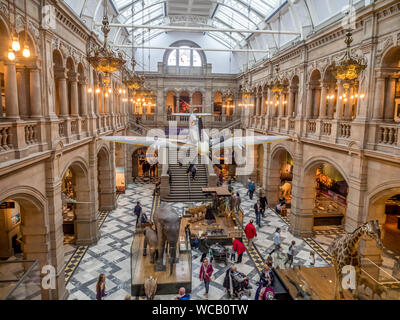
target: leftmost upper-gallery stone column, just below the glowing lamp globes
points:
(11, 91)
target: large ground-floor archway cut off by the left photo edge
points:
(23, 237)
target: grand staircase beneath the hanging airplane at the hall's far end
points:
(183, 187)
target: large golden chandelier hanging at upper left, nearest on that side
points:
(104, 59)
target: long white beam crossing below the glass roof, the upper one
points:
(198, 29)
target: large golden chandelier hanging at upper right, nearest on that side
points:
(349, 68)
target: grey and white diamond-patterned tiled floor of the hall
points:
(111, 255)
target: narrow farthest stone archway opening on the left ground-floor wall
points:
(106, 180)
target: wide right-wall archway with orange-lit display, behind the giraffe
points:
(329, 190)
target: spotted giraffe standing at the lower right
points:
(344, 252)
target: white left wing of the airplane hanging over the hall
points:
(146, 141)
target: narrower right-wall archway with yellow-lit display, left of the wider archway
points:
(280, 178)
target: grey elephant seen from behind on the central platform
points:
(167, 223)
